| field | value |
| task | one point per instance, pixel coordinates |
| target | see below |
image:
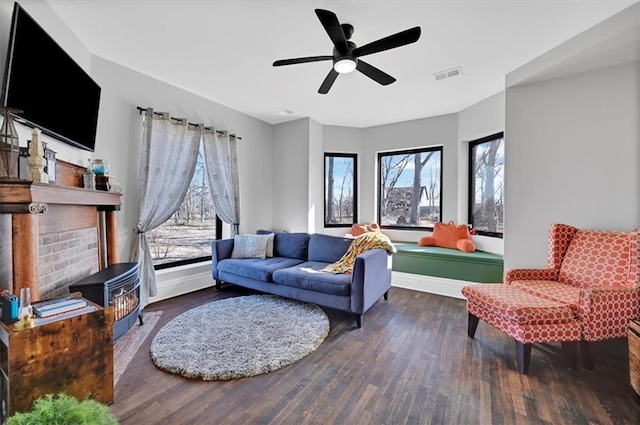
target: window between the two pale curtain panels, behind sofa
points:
(186, 236)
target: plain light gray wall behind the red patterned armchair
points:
(572, 156)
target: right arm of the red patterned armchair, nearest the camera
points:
(605, 311)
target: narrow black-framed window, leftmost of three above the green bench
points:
(340, 183)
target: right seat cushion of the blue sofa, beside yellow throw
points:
(309, 275)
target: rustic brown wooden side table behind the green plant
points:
(73, 355)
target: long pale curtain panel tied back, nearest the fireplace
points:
(168, 160)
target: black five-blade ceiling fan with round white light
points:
(346, 55)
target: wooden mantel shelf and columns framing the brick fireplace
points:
(40, 208)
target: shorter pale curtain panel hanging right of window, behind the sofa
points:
(221, 159)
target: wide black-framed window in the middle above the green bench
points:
(410, 188)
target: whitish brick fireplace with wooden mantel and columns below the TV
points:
(57, 233)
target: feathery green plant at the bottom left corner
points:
(63, 409)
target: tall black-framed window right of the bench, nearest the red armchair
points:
(486, 185)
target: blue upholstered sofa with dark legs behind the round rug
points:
(295, 272)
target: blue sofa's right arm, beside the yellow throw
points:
(370, 280)
